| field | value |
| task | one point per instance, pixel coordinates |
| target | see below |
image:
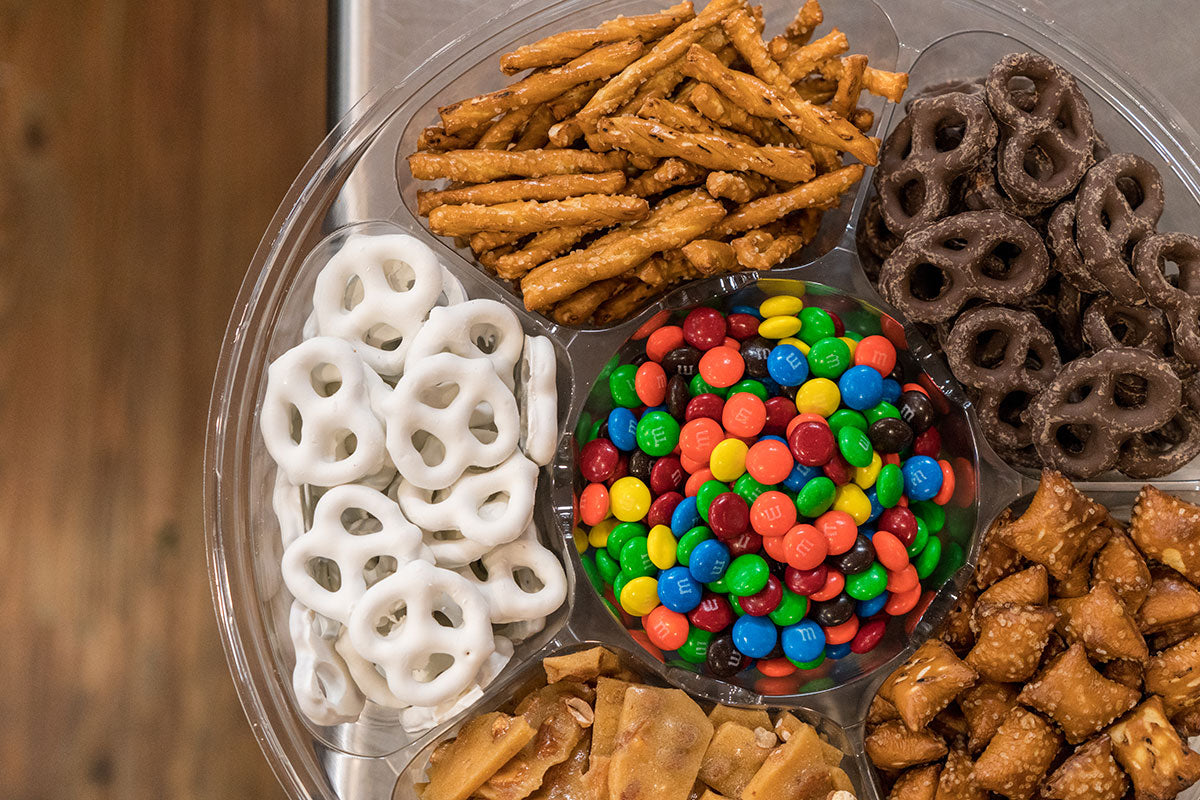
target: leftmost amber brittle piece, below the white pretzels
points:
(483, 747)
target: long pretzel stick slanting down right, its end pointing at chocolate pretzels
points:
(812, 123)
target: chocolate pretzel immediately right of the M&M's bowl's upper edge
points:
(1007, 357)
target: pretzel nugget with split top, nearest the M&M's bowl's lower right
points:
(927, 683)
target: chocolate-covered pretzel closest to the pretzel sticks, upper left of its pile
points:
(943, 137)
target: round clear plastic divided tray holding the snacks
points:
(932, 41)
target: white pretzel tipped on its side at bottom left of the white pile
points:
(325, 688)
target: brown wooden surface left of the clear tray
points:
(145, 146)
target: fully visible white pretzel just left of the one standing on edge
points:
(433, 441)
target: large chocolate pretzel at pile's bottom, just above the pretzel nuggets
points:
(1081, 422)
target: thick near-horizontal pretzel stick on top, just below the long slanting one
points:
(652, 139)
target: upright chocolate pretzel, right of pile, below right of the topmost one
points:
(1118, 206)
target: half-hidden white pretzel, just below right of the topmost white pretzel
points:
(477, 329)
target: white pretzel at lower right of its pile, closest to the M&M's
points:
(525, 581)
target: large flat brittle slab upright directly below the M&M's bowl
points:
(662, 739)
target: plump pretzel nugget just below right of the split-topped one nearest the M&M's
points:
(1018, 756)
